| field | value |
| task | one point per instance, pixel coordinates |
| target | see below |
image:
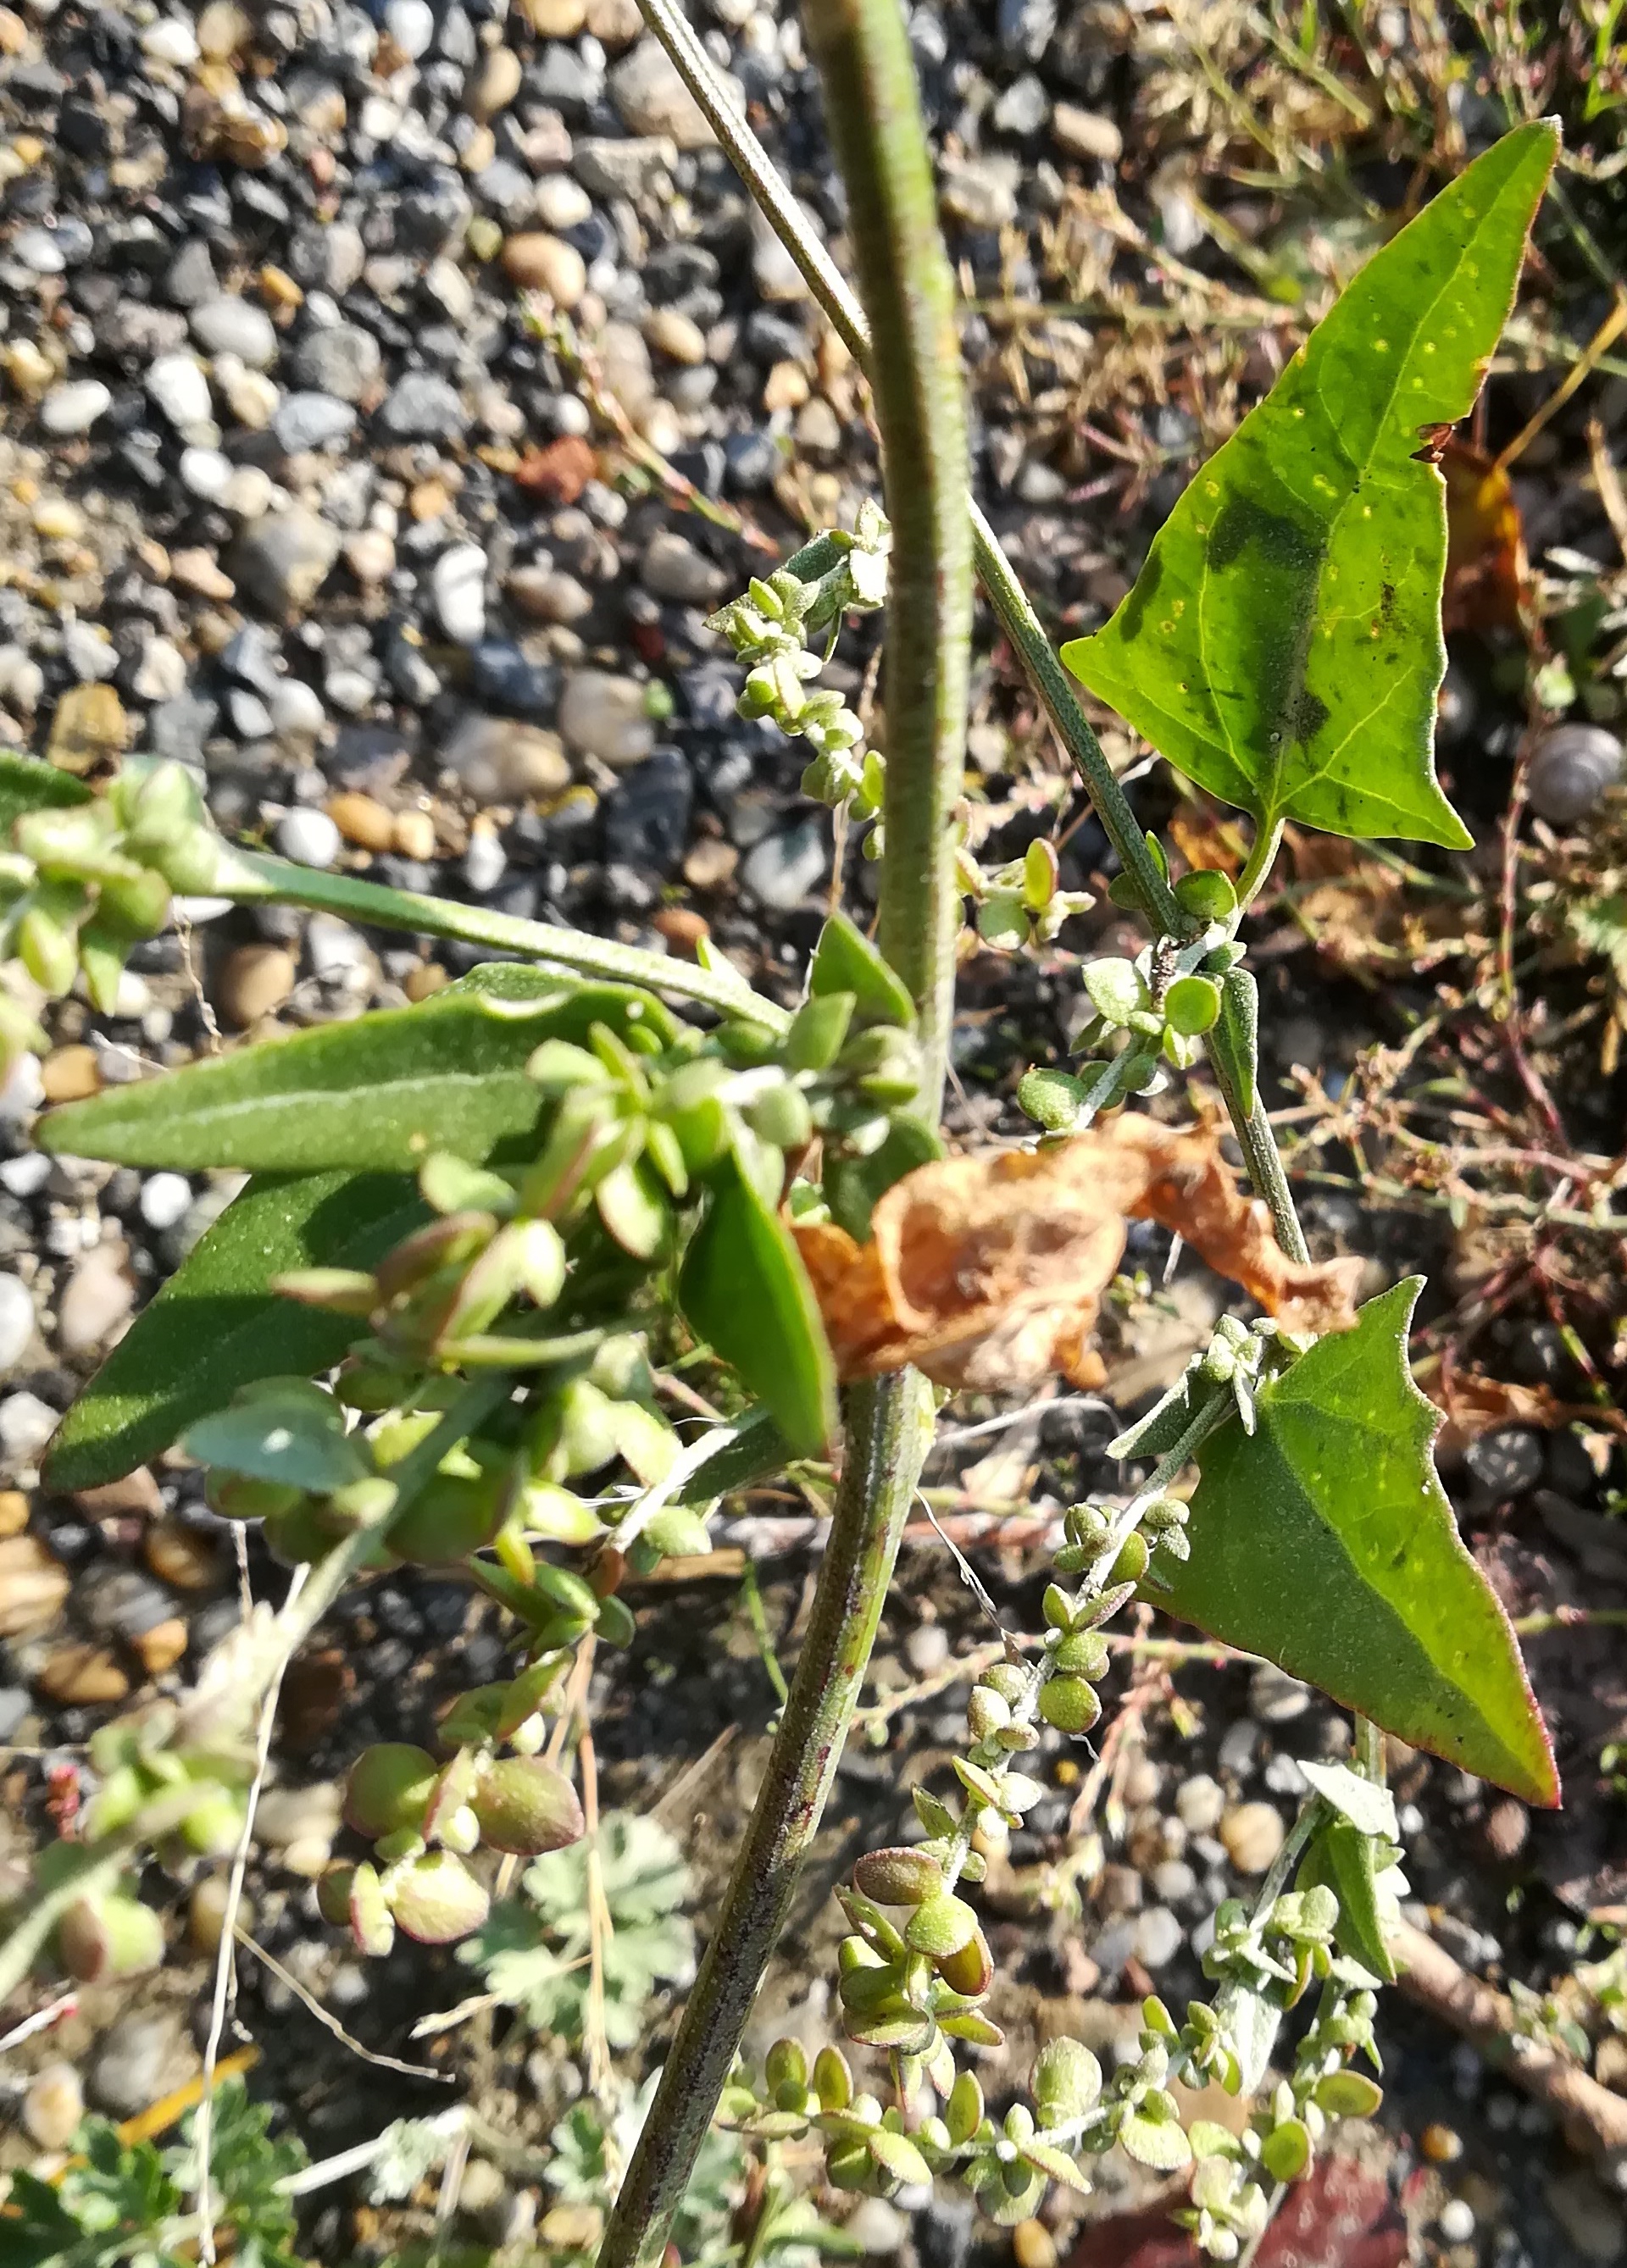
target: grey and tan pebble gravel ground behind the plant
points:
(298, 489)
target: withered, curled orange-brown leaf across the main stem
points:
(988, 1271)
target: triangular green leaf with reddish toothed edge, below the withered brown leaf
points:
(1324, 1541)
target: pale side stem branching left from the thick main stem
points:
(255, 881)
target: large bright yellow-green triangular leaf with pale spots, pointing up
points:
(1283, 643)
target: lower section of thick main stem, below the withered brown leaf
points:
(891, 1425)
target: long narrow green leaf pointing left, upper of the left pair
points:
(376, 1094)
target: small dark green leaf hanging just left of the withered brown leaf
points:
(745, 1292)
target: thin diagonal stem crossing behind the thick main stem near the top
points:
(1006, 595)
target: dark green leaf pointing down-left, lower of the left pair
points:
(217, 1326)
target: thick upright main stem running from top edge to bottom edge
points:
(875, 119)
